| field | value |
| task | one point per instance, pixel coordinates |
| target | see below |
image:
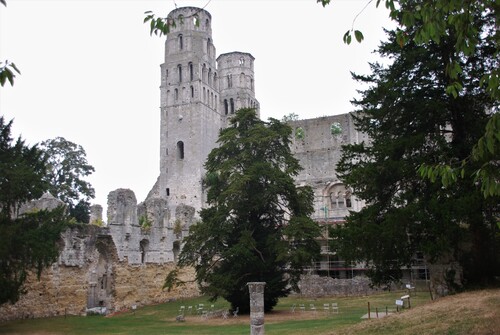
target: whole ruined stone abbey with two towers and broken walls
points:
(125, 262)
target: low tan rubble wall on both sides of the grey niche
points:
(64, 290)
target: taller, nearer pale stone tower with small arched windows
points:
(190, 116)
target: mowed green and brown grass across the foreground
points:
(468, 313)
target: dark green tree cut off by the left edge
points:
(27, 242)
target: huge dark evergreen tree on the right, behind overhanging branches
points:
(411, 120)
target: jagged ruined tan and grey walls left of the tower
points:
(115, 267)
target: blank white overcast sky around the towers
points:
(90, 71)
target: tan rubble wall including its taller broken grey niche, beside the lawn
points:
(90, 274)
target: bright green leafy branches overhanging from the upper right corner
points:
(433, 20)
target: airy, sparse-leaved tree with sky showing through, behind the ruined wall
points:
(67, 165)
